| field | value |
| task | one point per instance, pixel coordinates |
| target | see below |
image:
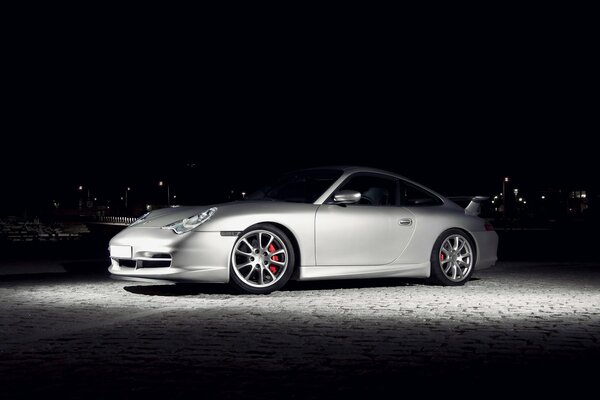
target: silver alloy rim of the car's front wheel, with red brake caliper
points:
(260, 258)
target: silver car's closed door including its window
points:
(374, 231)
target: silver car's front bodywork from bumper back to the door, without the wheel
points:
(194, 244)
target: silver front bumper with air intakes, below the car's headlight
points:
(194, 256)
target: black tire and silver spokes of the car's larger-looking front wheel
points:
(254, 271)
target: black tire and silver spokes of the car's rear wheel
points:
(437, 275)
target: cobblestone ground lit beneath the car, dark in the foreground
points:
(516, 328)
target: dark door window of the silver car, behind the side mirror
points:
(374, 190)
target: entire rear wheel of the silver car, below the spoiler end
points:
(452, 258)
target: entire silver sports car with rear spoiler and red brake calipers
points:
(322, 223)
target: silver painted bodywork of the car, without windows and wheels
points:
(333, 241)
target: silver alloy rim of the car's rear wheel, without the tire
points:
(456, 258)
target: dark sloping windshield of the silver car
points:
(298, 187)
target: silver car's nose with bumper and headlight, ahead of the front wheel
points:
(166, 245)
